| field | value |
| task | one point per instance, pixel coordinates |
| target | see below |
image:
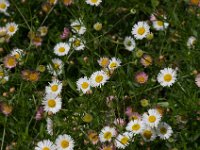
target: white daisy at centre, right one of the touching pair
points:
(98, 78)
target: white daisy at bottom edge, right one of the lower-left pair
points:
(64, 142)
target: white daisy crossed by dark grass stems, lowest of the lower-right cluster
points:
(122, 140)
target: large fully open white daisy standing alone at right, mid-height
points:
(167, 77)
